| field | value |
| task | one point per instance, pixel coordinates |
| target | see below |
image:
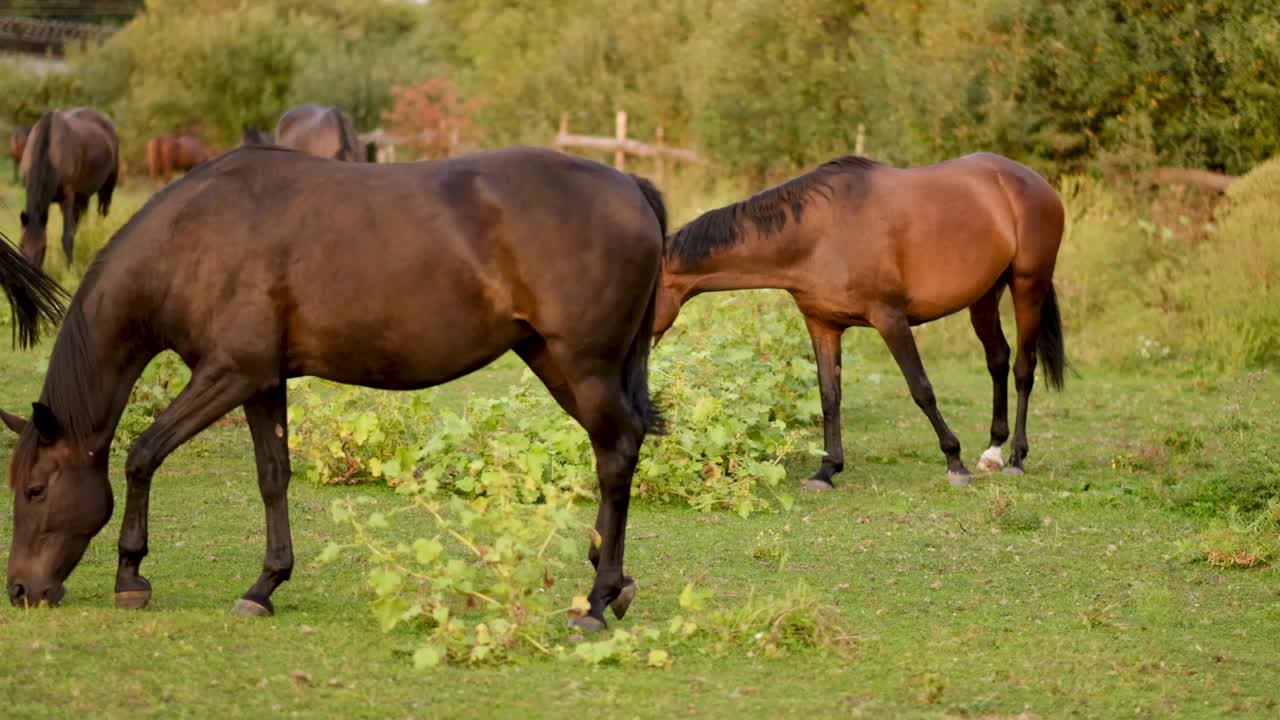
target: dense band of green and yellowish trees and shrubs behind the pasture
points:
(762, 86)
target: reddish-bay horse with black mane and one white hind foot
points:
(860, 244)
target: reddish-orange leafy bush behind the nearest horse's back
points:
(432, 120)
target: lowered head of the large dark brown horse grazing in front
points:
(62, 499)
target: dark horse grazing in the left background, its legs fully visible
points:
(70, 157)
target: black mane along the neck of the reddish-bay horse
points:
(767, 211)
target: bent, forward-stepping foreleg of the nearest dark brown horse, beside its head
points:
(214, 390)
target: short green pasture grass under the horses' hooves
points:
(1071, 603)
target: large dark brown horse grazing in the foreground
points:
(266, 265)
